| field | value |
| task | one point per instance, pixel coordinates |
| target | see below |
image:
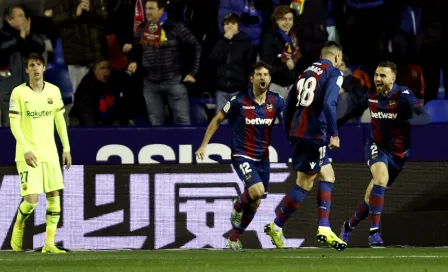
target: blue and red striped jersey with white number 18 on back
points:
(311, 105)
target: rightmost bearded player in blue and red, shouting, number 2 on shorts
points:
(391, 108)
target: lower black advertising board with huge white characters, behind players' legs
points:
(164, 206)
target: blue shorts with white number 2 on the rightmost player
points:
(394, 164)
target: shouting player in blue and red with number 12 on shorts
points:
(252, 114)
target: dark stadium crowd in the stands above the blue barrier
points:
(159, 62)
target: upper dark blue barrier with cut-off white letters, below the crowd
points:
(151, 145)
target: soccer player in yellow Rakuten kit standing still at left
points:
(35, 107)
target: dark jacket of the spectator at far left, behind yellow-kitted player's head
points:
(13, 50)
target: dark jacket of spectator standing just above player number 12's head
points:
(232, 59)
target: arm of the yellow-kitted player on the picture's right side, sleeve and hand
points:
(61, 127)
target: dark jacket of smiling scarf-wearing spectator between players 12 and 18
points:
(272, 46)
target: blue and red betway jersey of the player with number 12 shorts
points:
(252, 123)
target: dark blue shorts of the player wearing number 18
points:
(309, 155)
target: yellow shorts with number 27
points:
(46, 177)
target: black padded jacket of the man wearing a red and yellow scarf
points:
(168, 61)
